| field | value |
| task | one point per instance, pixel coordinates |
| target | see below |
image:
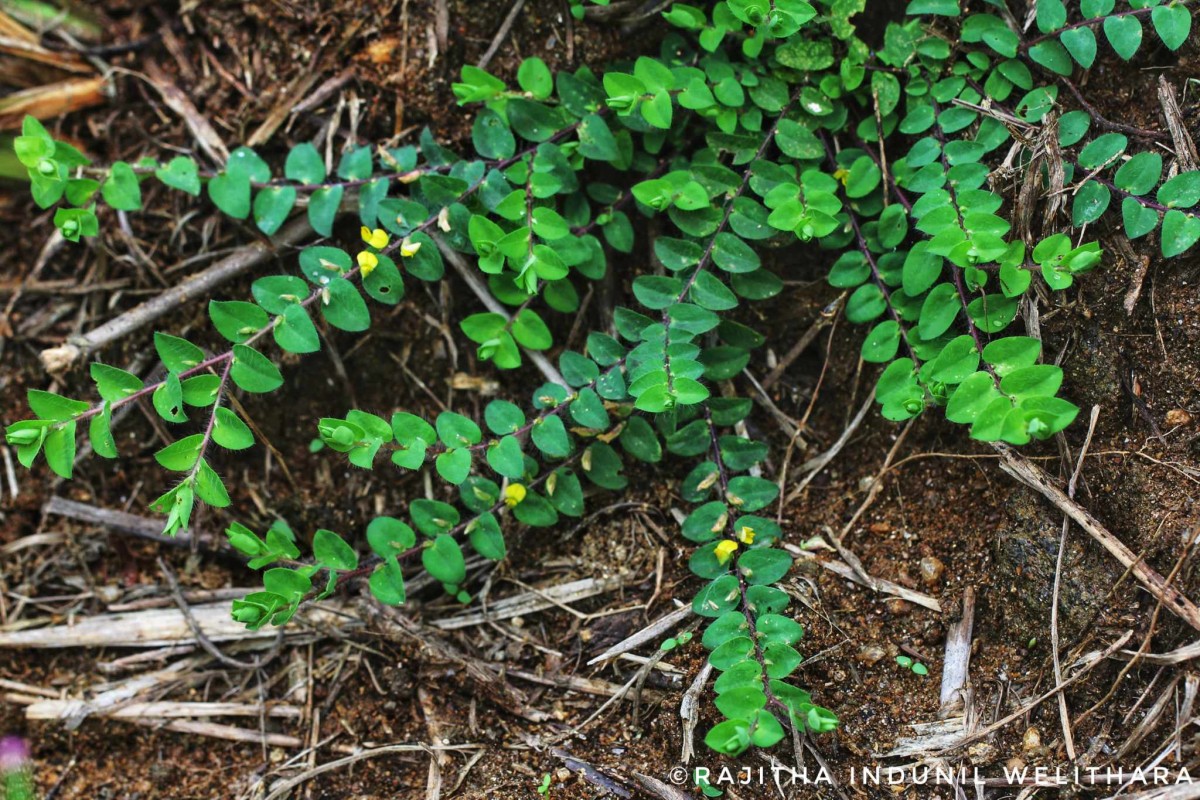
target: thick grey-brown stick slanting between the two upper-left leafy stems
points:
(77, 348)
